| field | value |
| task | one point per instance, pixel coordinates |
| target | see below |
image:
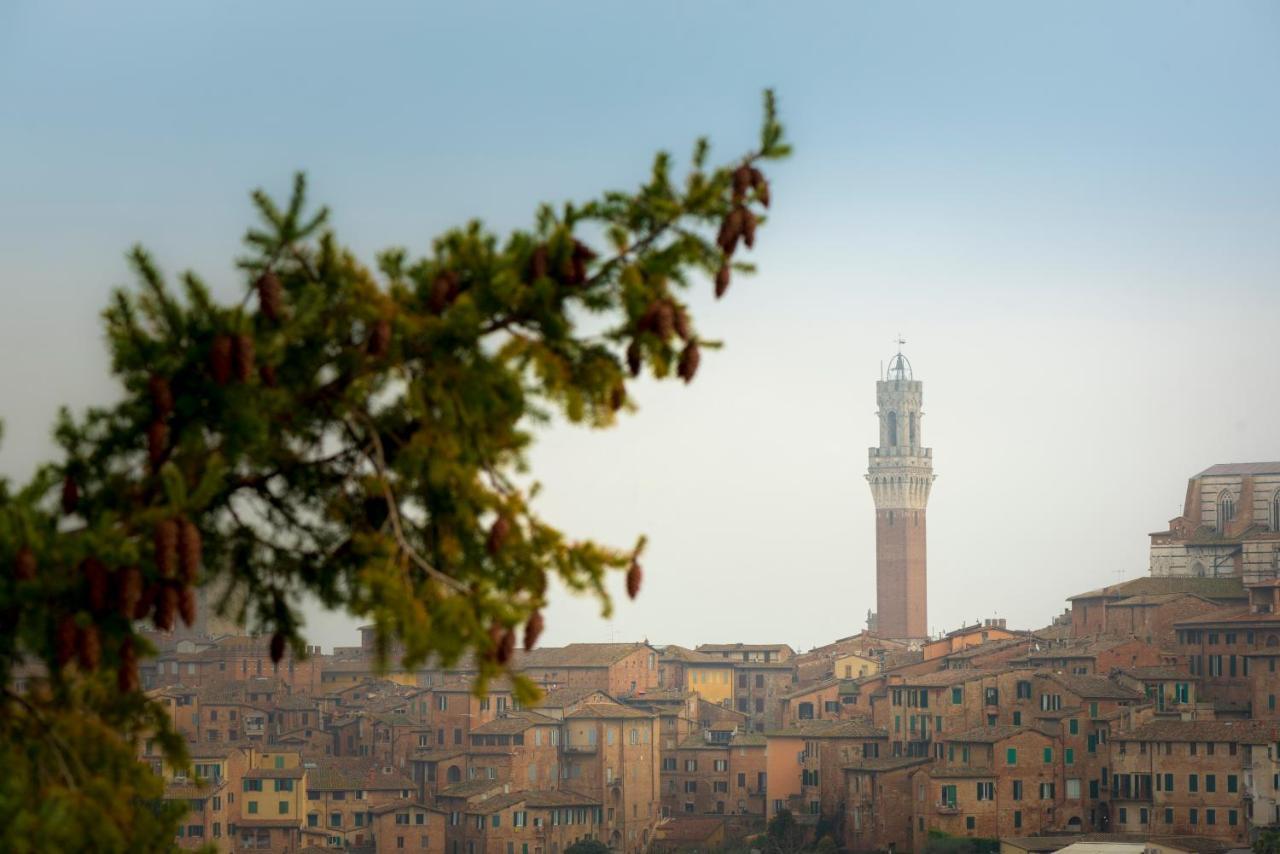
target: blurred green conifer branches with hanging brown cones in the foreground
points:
(348, 432)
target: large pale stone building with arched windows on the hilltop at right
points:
(1231, 526)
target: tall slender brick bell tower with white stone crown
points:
(900, 474)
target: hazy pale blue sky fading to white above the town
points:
(1071, 211)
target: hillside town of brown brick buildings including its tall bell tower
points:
(1145, 714)
